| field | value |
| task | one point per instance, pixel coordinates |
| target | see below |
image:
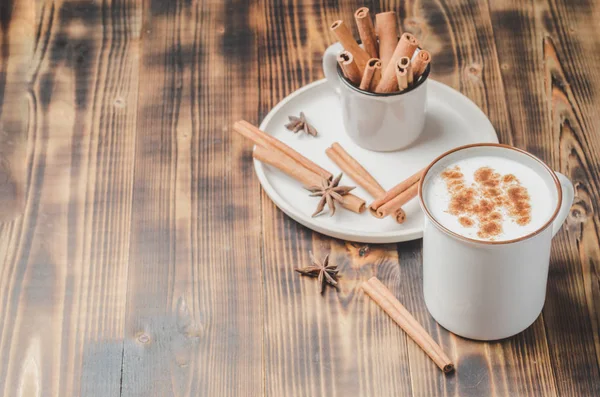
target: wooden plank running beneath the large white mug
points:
(461, 39)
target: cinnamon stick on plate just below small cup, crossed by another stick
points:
(360, 175)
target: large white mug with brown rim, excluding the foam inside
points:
(489, 290)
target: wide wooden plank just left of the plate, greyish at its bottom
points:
(194, 319)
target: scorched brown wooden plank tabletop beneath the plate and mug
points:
(148, 262)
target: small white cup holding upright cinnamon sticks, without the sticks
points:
(379, 122)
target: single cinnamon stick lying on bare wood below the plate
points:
(398, 313)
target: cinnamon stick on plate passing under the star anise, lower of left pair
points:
(288, 166)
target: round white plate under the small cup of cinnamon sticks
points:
(452, 120)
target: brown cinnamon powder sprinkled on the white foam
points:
(481, 202)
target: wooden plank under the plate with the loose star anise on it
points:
(339, 343)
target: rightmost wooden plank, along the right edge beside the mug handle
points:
(570, 55)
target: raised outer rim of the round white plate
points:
(396, 236)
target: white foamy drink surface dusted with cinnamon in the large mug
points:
(488, 198)
